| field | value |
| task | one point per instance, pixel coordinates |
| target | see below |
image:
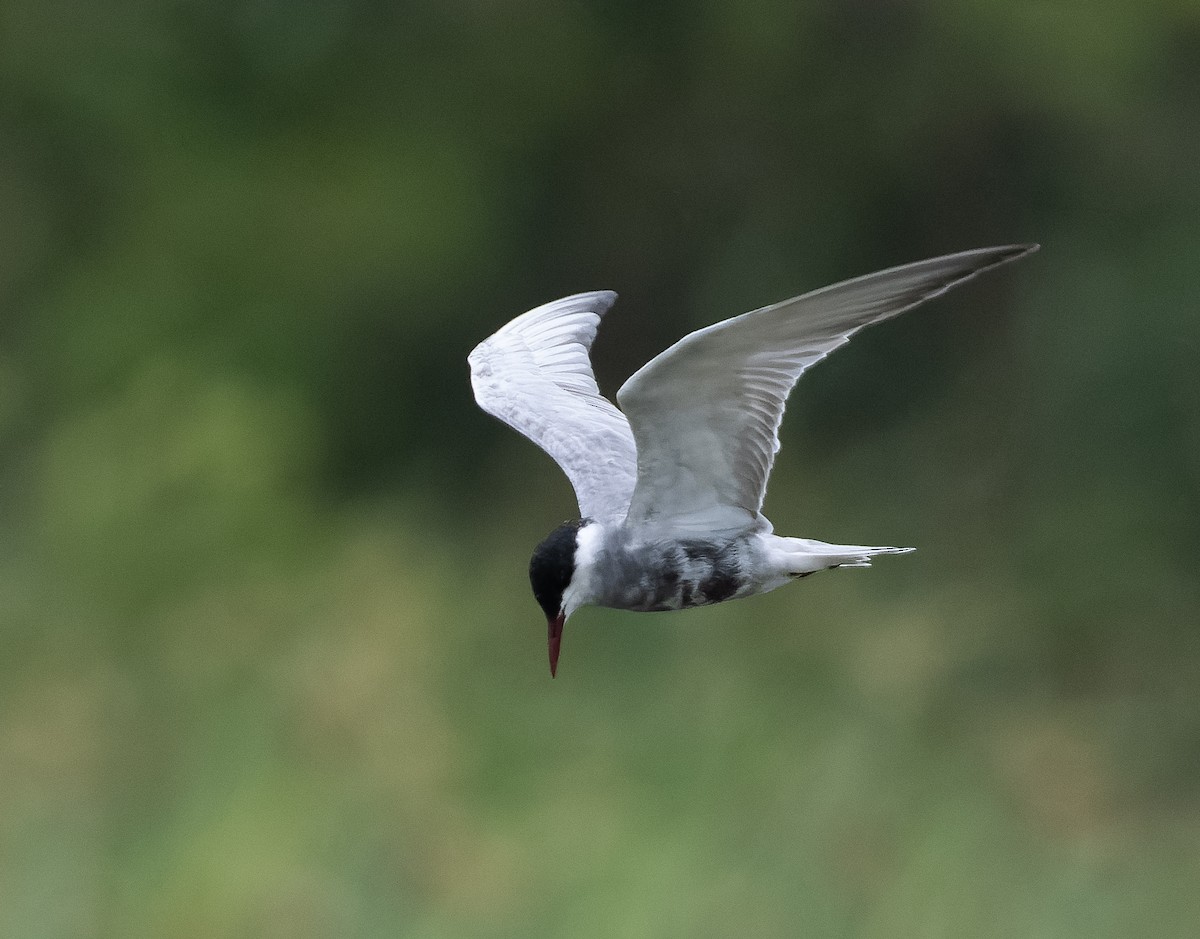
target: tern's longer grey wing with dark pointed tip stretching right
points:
(706, 412)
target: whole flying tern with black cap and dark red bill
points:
(671, 486)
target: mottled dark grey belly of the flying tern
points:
(676, 577)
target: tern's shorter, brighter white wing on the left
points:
(535, 375)
